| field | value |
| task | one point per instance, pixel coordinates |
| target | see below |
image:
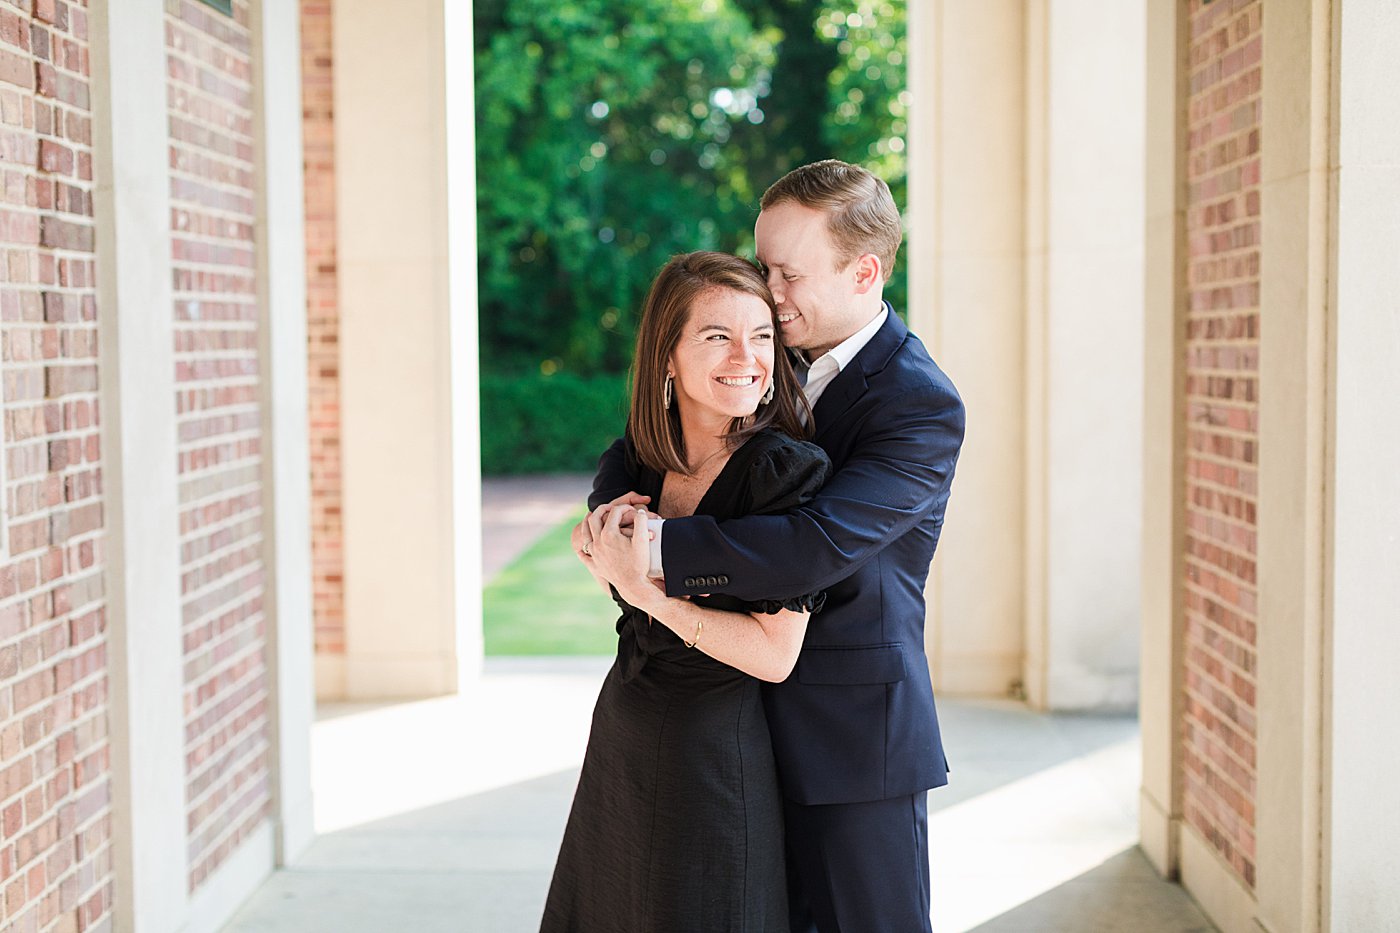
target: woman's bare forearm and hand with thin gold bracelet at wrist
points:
(759, 644)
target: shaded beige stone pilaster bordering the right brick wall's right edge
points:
(1293, 452)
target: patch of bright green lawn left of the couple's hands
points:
(545, 603)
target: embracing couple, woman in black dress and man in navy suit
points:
(764, 746)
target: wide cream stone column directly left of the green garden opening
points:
(408, 368)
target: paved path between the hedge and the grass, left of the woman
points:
(517, 511)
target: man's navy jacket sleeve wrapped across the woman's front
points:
(899, 476)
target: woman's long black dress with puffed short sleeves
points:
(677, 824)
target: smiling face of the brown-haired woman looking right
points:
(724, 359)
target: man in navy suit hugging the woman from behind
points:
(855, 728)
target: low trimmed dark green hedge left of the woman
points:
(540, 424)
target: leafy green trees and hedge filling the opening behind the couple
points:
(617, 134)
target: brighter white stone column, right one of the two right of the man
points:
(1084, 354)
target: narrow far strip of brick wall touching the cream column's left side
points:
(323, 324)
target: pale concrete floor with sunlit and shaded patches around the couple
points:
(446, 816)
